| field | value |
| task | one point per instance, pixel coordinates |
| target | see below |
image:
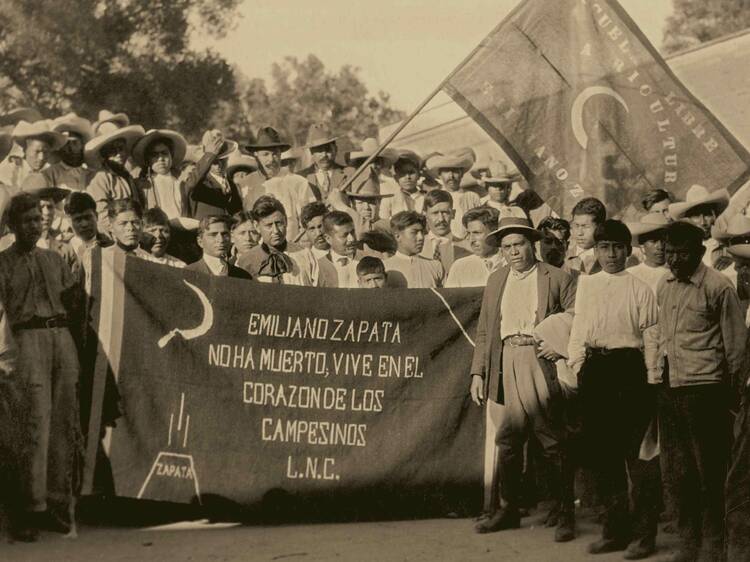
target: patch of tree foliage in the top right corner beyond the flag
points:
(697, 21)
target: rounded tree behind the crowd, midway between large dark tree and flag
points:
(303, 92)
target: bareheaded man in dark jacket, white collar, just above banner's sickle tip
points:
(214, 238)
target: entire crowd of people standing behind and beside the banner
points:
(619, 348)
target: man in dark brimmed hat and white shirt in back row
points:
(273, 179)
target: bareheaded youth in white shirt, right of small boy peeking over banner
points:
(407, 268)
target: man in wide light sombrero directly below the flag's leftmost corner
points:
(450, 168)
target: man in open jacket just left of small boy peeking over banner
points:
(338, 267)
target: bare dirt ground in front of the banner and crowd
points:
(429, 540)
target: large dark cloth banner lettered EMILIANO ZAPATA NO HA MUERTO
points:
(243, 390)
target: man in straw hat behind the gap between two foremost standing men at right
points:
(650, 234)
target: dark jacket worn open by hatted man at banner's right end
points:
(556, 292)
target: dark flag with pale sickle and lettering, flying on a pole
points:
(585, 106)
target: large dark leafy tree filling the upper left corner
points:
(125, 55)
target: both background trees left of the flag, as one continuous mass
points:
(135, 56)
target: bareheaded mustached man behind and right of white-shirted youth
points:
(440, 243)
